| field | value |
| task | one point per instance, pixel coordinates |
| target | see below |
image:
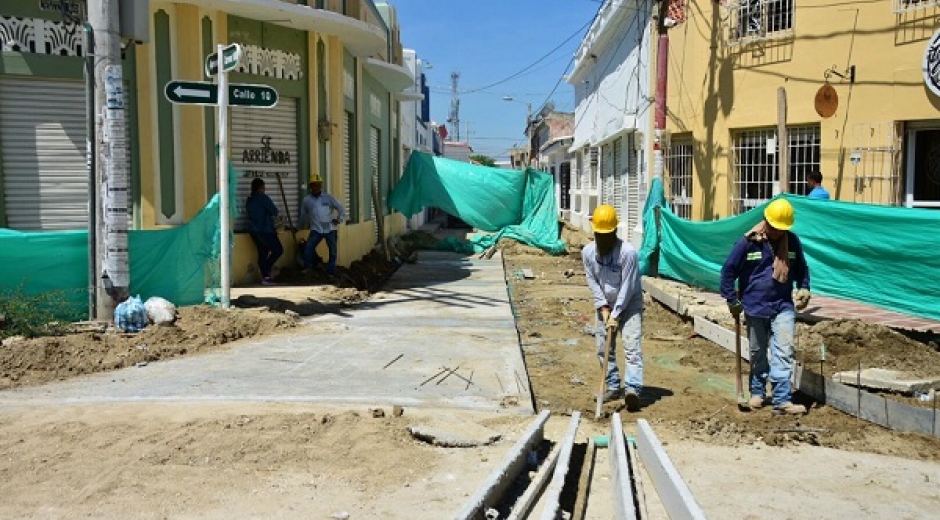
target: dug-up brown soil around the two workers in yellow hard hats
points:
(689, 382)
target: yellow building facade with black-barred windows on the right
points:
(847, 81)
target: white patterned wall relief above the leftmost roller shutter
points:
(38, 36)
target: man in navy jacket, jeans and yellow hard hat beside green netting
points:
(766, 263)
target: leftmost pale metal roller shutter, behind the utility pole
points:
(45, 169)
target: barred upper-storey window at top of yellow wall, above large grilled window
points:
(760, 19)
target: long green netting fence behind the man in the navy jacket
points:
(880, 255)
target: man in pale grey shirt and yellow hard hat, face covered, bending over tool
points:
(613, 275)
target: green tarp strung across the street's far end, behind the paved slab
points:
(507, 203)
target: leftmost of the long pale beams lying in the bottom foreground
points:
(505, 473)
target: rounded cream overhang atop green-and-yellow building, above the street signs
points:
(362, 39)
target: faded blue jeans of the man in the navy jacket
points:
(776, 336)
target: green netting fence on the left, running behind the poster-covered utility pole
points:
(180, 264)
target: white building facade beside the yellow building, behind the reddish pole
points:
(613, 107)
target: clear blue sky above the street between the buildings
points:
(487, 41)
